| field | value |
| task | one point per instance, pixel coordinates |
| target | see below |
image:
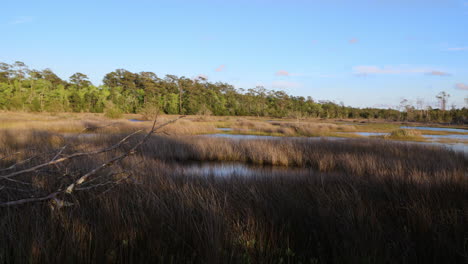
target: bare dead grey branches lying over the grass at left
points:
(53, 196)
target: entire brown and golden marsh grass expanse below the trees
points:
(186, 197)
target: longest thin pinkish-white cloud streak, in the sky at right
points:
(374, 70)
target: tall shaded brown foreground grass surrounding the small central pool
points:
(368, 202)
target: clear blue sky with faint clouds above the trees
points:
(363, 53)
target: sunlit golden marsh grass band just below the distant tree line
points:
(268, 126)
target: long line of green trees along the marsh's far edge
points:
(25, 89)
